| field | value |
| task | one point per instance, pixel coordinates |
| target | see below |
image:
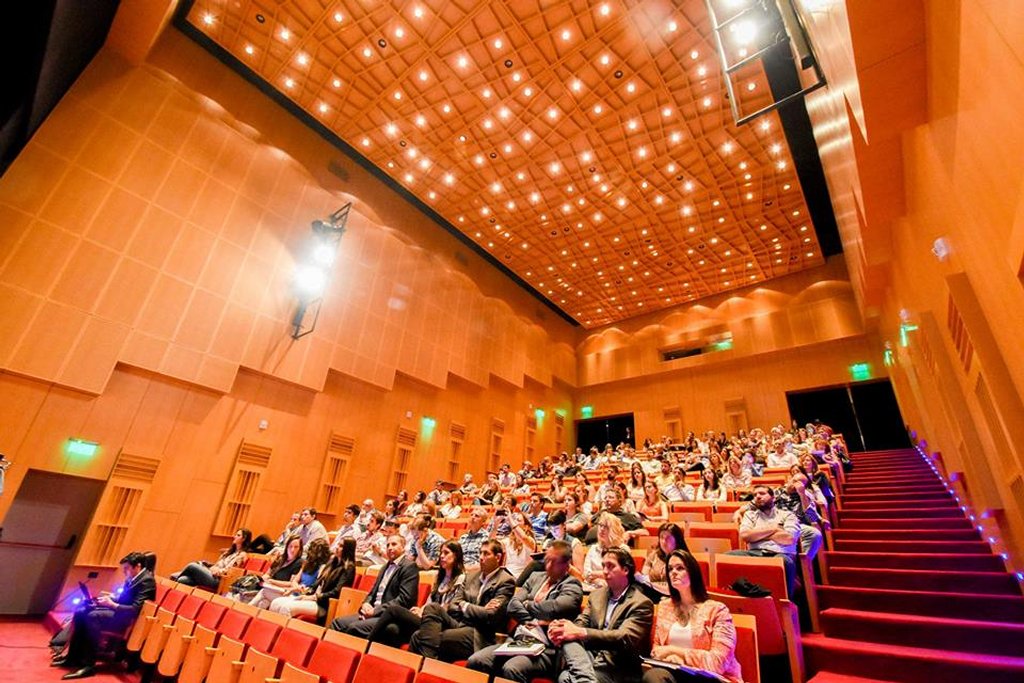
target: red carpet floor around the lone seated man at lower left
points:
(25, 657)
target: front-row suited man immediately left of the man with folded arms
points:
(466, 626)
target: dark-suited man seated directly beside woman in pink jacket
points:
(607, 642)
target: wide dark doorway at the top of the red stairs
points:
(866, 413)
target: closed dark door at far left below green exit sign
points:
(41, 533)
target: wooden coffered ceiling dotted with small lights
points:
(587, 147)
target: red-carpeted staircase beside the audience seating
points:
(913, 594)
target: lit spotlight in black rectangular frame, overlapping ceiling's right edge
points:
(753, 33)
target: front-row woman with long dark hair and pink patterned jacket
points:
(692, 630)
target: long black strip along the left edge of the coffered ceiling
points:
(182, 24)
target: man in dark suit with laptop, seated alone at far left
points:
(109, 613)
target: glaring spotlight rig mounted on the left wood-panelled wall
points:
(314, 274)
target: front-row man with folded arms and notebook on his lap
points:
(543, 600)
